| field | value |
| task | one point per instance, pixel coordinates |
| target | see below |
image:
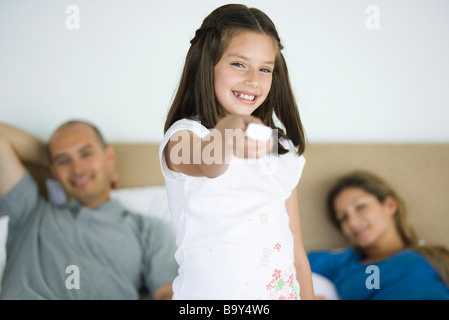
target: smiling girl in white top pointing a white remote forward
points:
(233, 199)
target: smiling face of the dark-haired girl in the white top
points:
(244, 73)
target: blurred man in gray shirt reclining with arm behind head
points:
(91, 248)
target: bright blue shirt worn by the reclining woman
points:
(406, 275)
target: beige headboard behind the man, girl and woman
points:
(419, 172)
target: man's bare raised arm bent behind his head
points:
(17, 146)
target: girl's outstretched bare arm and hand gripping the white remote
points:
(209, 157)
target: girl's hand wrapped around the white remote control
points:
(232, 129)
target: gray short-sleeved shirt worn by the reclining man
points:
(74, 252)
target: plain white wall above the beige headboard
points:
(121, 67)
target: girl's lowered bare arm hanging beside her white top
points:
(303, 271)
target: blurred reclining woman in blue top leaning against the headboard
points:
(386, 261)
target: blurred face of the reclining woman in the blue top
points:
(363, 219)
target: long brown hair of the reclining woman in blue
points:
(438, 256)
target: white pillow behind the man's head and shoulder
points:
(150, 200)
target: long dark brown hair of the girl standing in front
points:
(195, 97)
